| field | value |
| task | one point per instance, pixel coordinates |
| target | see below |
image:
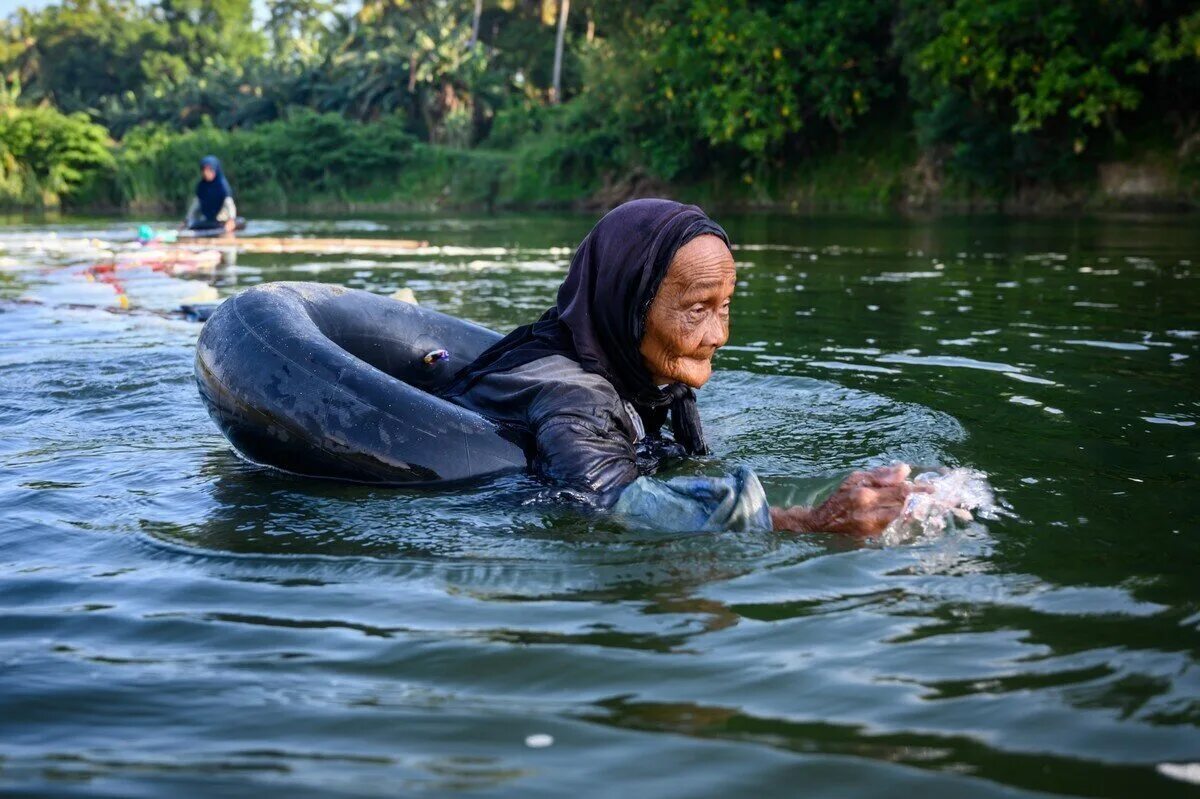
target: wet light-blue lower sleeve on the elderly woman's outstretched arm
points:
(736, 503)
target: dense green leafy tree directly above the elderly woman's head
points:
(693, 77)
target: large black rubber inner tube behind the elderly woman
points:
(328, 382)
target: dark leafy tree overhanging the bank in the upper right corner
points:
(1024, 91)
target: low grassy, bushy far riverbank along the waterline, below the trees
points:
(325, 164)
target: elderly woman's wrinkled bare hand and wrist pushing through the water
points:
(865, 504)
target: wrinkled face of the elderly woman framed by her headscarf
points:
(689, 319)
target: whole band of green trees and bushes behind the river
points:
(428, 103)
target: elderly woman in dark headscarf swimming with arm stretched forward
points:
(644, 309)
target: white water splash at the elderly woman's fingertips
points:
(958, 496)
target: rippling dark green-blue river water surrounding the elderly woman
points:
(176, 622)
